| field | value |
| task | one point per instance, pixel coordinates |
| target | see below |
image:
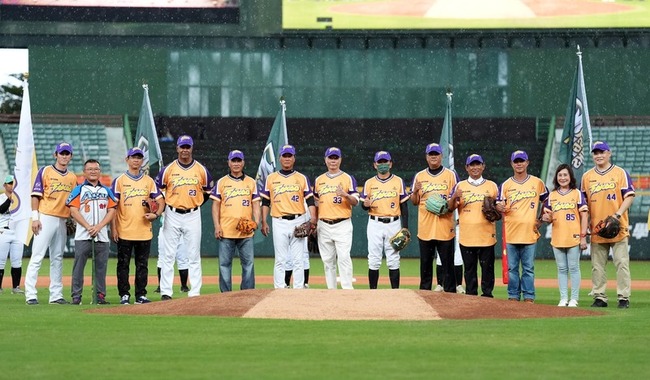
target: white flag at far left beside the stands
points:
(24, 172)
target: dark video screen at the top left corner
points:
(168, 11)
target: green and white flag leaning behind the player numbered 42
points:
(277, 138)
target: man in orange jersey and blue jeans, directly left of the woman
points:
(519, 198)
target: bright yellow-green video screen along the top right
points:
(463, 14)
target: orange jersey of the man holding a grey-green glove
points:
(431, 226)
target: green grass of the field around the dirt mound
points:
(57, 342)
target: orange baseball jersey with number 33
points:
(330, 205)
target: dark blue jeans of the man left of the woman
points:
(524, 255)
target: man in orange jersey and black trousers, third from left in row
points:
(132, 228)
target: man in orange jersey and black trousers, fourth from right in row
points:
(477, 235)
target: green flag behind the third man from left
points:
(146, 137)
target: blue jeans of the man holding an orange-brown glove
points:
(226, 253)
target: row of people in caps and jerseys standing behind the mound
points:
(290, 200)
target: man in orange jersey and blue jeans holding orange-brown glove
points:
(235, 196)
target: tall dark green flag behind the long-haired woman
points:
(576, 135)
